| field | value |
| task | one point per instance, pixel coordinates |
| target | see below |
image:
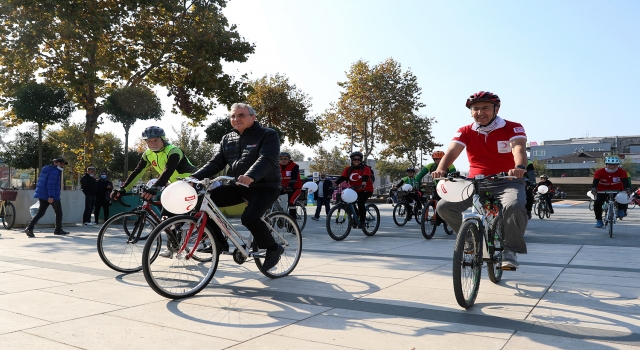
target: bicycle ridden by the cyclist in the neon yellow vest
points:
(123, 236)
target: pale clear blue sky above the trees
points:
(562, 68)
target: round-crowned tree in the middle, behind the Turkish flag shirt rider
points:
(377, 106)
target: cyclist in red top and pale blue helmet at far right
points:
(610, 178)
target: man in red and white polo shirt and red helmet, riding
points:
(494, 145)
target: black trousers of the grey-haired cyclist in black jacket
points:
(260, 200)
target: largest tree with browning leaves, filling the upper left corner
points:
(92, 47)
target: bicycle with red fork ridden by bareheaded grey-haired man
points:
(194, 253)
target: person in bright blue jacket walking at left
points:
(48, 193)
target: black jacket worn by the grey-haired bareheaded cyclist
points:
(253, 153)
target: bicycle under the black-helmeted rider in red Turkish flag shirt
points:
(343, 216)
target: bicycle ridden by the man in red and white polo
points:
(486, 221)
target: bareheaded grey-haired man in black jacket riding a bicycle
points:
(251, 151)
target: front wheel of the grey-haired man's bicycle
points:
(179, 277)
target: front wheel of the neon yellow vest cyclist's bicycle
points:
(114, 245)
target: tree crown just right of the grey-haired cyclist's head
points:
(281, 106)
